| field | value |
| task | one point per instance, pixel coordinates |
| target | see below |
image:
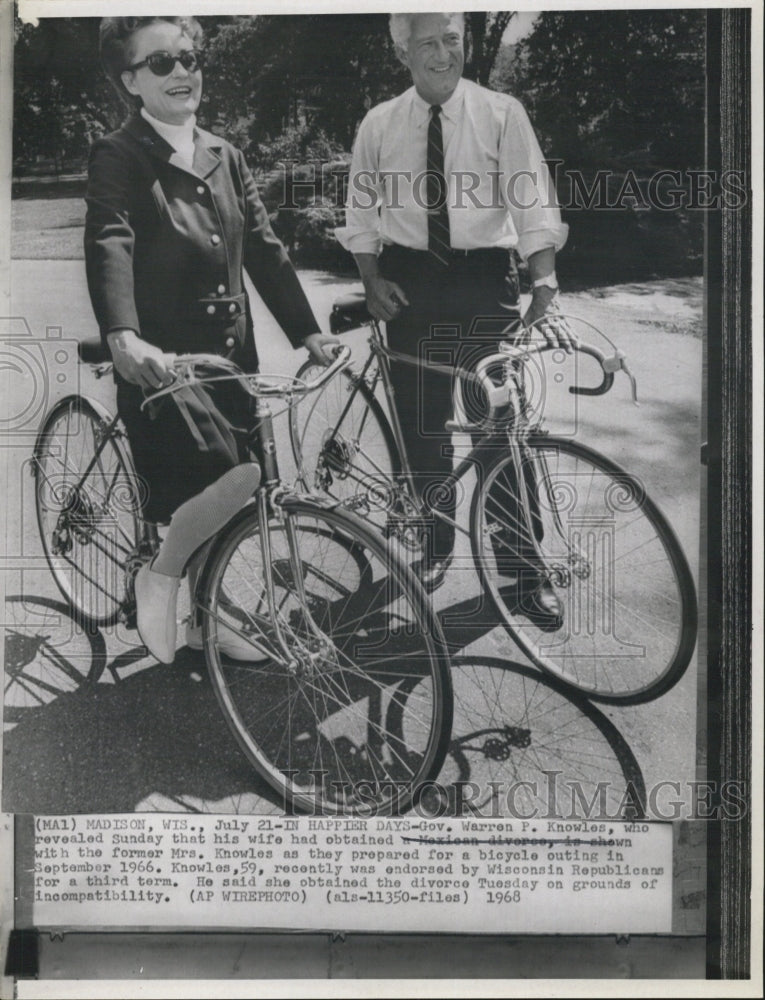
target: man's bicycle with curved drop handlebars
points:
(543, 505)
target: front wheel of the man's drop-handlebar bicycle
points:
(613, 561)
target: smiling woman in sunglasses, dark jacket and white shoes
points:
(173, 218)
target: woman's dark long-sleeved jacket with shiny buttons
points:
(166, 245)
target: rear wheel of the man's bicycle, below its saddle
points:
(355, 463)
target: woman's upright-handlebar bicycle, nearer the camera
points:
(346, 705)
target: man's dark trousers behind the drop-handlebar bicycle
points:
(455, 316)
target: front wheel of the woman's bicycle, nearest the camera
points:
(344, 704)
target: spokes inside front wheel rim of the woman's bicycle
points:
(353, 702)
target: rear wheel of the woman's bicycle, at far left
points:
(88, 508)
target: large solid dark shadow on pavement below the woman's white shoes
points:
(107, 747)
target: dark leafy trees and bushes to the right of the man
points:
(617, 96)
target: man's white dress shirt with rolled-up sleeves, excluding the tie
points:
(499, 189)
